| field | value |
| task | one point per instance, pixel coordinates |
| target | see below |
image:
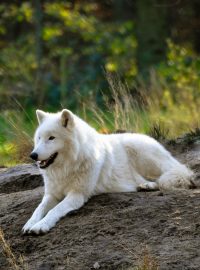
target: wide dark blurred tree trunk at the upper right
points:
(152, 31)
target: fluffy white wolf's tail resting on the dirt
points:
(178, 177)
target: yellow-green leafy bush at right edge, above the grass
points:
(181, 71)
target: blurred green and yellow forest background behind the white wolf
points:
(120, 64)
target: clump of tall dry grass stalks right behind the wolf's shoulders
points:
(121, 111)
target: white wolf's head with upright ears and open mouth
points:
(53, 136)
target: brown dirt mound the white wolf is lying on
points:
(111, 231)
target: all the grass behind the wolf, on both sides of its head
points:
(154, 110)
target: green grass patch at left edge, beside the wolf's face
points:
(16, 137)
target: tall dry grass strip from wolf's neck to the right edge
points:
(153, 109)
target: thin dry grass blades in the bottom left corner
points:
(14, 262)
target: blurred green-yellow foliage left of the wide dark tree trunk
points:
(76, 46)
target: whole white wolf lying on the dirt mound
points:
(77, 162)
